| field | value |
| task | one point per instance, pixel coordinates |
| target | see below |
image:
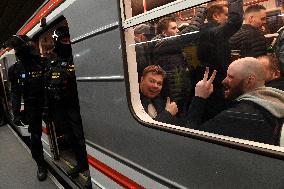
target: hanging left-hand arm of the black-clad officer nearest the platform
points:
(16, 74)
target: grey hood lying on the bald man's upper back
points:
(269, 98)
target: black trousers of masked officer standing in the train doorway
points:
(68, 118)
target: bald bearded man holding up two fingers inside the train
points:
(255, 112)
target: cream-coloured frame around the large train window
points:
(140, 114)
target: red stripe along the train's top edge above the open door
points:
(45, 10)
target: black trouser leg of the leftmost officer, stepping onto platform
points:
(34, 118)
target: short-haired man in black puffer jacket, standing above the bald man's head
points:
(250, 39)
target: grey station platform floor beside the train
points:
(17, 168)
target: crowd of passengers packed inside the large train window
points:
(243, 97)
